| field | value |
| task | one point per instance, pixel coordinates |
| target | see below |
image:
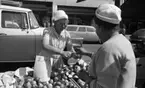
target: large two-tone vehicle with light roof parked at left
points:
(20, 35)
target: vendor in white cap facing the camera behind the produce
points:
(55, 39)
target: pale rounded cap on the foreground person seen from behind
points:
(109, 13)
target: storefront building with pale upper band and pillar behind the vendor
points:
(79, 13)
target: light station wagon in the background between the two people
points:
(88, 33)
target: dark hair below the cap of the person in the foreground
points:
(104, 24)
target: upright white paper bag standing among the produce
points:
(42, 68)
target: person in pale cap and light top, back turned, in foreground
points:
(114, 64)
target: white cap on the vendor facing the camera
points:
(60, 14)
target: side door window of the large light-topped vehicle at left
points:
(14, 20)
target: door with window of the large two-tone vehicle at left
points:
(17, 42)
